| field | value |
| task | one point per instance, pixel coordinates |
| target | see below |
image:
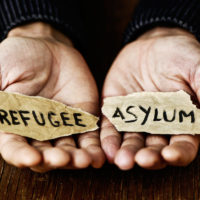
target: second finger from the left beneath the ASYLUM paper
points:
(125, 157)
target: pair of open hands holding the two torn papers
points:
(37, 60)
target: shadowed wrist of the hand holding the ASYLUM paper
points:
(164, 32)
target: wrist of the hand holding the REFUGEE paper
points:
(39, 30)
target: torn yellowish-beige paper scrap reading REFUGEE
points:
(42, 119)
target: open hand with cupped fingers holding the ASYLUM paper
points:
(162, 59)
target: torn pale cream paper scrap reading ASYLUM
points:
(153, 112)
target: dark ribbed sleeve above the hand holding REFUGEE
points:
(62, 14)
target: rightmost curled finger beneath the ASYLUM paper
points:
(182, 150)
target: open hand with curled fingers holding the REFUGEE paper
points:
(38, 60)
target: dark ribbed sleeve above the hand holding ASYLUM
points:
(167, 13)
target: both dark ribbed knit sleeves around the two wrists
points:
(65, 16)
